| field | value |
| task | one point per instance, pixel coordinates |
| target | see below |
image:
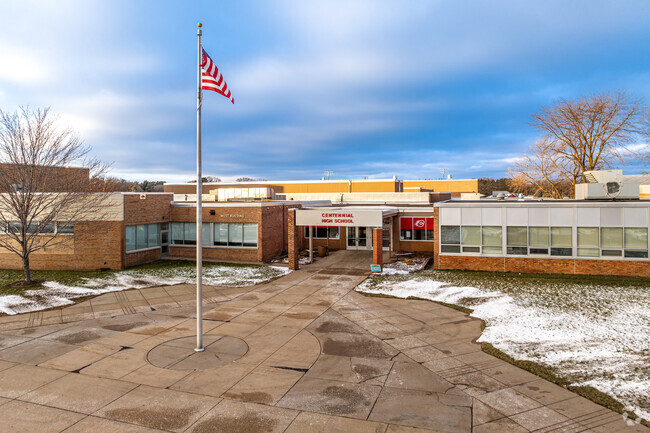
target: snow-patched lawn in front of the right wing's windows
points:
(591, 334)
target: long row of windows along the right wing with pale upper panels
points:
(556, 241)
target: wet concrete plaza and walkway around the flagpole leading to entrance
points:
(312, 356)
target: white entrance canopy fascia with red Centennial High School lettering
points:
(344, 216)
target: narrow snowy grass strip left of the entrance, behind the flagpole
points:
(55, 294)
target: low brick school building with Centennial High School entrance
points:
(258, 222)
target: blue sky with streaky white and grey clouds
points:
(362, 88)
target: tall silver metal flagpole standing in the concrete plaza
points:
(199, 209)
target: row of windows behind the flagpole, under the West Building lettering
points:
(221, 234)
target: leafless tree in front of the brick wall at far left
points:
(41, 196)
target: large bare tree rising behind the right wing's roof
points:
(589, 133)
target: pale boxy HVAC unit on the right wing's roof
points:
(606, 184)
